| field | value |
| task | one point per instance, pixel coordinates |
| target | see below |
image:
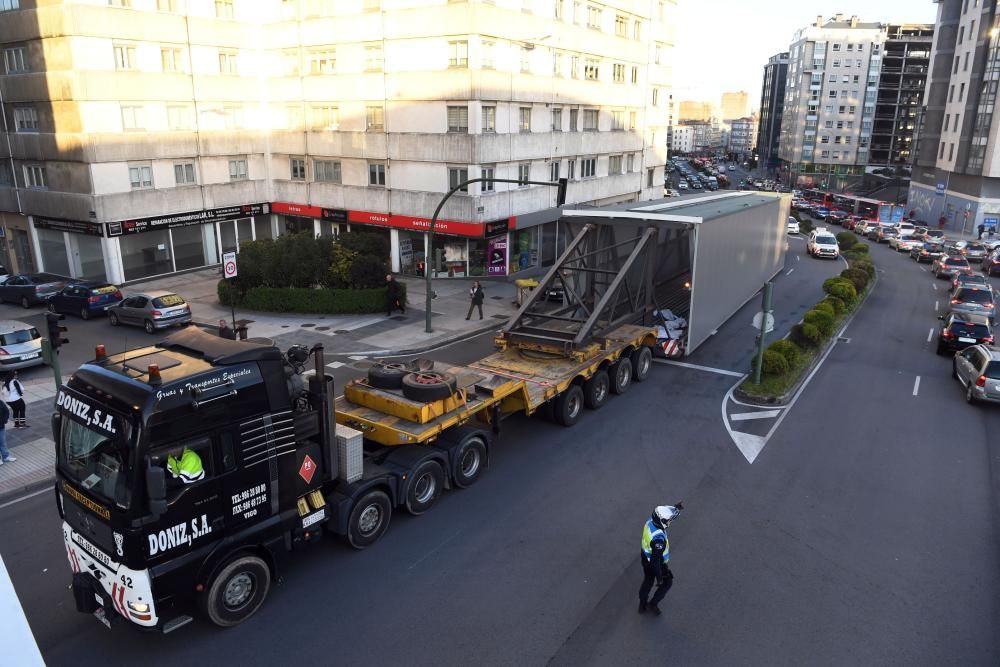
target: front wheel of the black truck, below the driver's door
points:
(237, 591)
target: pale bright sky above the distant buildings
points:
(723, 45)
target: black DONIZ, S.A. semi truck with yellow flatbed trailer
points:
(281, 462)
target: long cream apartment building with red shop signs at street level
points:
(144, 137)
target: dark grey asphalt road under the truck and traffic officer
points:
(864, 533)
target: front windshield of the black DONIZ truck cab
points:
(97, 461)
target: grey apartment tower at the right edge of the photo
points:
(956, 174)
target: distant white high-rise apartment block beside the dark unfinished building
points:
(830, 95)
